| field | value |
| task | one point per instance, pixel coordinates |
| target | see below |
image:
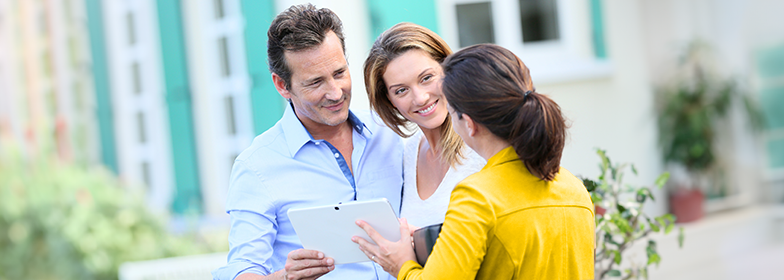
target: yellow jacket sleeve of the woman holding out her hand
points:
(462, 243)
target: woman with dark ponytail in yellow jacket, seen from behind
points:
(522, 216)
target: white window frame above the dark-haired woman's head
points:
(567, 59)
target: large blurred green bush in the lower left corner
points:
(61, 221)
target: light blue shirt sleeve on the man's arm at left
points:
(253, 225)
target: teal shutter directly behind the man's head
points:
(266, 103)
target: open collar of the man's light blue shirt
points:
(297, 136)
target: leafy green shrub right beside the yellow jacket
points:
(624, 222)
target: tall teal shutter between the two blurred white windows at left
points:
(178, 98)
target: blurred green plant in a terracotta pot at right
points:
(690, 109)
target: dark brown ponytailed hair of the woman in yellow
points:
(493, 86)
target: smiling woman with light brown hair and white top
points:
(402, 77)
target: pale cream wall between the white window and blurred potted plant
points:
(614, 112)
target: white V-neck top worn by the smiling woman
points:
(432, 210)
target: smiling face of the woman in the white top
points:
(413, 82)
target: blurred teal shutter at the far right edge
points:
(770, 66)
